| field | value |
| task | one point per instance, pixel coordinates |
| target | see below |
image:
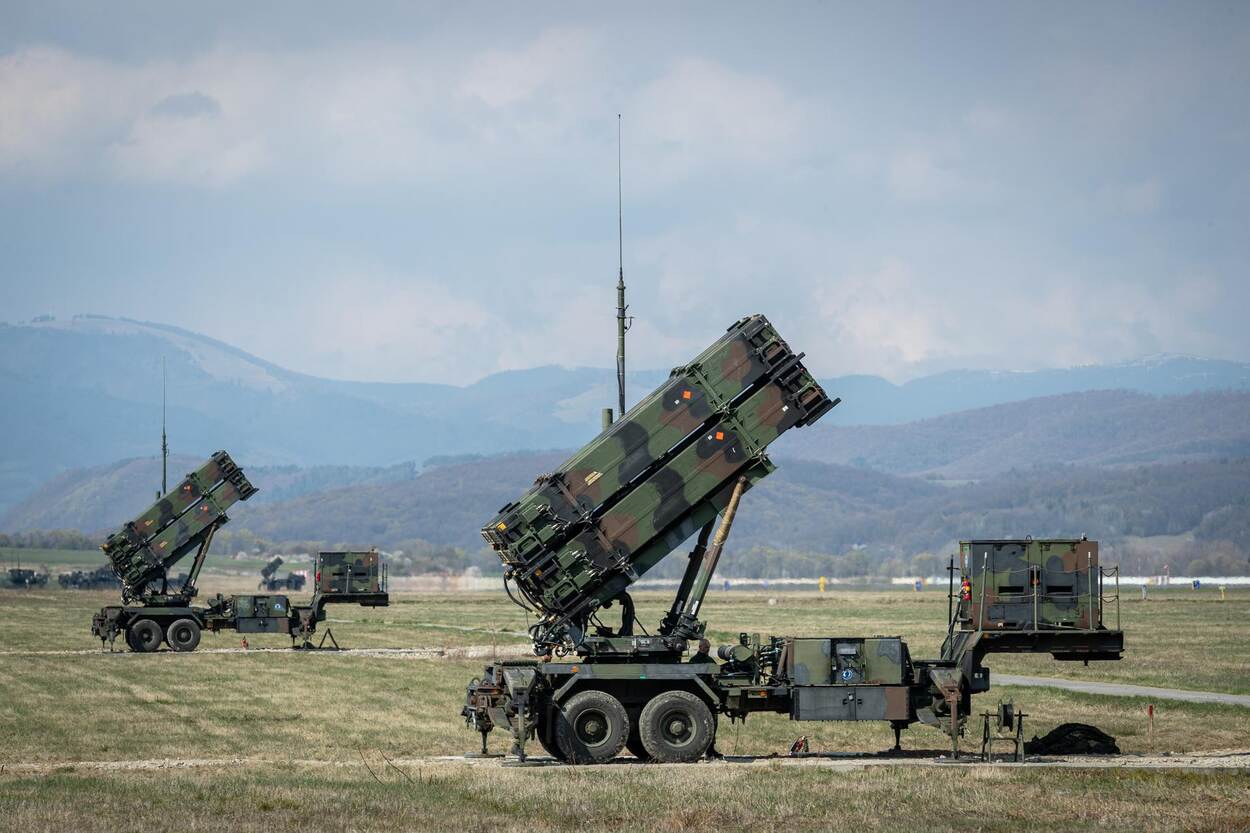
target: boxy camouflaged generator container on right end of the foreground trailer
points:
(1031, 585)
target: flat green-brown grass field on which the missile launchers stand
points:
(282, 739)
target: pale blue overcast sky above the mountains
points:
(374, 192)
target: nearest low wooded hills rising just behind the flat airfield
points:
(813, 518)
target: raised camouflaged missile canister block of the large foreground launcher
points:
(666, 470)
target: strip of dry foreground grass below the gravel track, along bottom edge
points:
(712, 797)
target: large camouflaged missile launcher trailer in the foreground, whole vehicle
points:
(688, 452)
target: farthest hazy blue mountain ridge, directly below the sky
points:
(87, 392)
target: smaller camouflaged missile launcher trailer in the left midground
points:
(156, 610)
